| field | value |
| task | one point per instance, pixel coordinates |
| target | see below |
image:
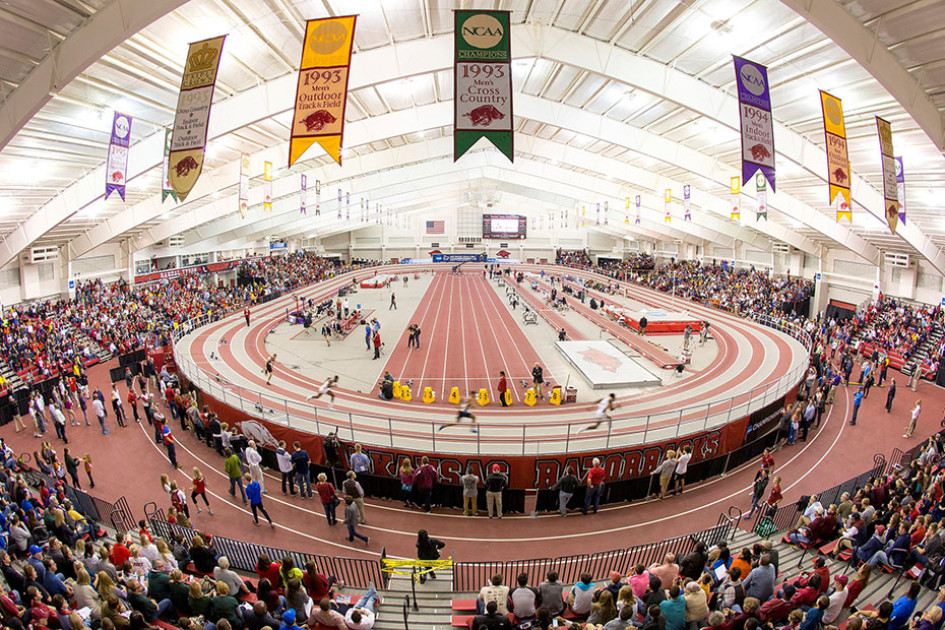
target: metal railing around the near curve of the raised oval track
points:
(541, 436)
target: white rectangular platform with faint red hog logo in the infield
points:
(605, 366)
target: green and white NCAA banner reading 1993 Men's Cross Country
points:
(482, 81)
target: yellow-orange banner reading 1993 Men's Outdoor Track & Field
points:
(322, 91)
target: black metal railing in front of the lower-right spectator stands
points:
(470, 576)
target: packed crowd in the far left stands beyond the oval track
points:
(119, 318)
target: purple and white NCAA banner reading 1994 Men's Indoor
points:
(757, 123)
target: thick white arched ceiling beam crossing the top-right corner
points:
(858, 41)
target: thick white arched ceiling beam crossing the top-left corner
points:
(108, 27)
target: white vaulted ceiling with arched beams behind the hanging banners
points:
(613, 98)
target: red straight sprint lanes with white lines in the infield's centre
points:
(467, 336)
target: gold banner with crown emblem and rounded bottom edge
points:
(191, 122)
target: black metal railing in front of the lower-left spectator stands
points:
(356, 572)
